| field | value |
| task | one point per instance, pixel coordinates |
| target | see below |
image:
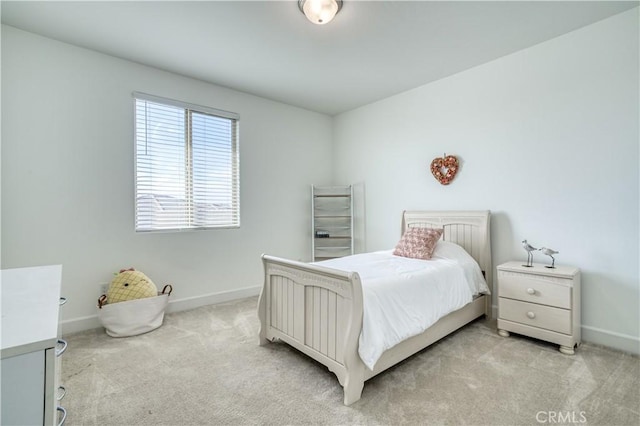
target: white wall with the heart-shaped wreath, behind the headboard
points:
(548, 139)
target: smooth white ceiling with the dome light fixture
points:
(371, 50)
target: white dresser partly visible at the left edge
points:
(30, 346)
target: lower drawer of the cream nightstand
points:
(554, 319)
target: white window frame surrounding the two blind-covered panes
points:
(190, 108)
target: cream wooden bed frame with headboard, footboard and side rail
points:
(318, 310)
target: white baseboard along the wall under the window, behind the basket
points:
(90, 322)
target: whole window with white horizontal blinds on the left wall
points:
(187, 166)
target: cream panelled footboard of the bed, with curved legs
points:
(318, 311)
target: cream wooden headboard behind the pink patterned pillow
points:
(469, 229)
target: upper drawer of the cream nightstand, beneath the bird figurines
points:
(535, 289)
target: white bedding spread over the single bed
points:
(403, 296)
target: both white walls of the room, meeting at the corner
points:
(548, 139)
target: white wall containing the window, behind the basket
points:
(67, 177)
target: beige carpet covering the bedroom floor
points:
(204, 367)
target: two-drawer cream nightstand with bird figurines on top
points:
(540, 302)
